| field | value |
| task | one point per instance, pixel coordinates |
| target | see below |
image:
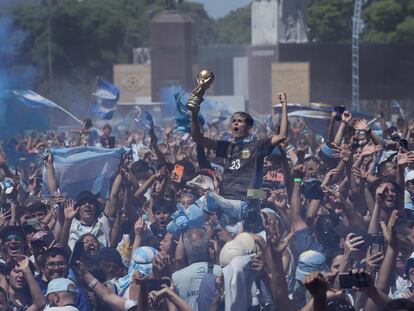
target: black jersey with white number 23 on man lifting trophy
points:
(243, 166)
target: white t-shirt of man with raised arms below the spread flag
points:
(100, 229)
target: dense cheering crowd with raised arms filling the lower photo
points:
(250, 217)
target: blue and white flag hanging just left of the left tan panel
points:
(105, 99)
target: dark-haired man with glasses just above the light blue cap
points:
(55, 265)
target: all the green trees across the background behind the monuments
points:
(88, 36)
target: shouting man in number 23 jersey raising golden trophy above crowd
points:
(243, 156)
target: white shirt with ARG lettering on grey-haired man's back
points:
(187, 281)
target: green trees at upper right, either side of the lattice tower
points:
(384, 20)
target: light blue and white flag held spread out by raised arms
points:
(85, 168)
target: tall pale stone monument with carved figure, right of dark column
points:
(273, 22)
